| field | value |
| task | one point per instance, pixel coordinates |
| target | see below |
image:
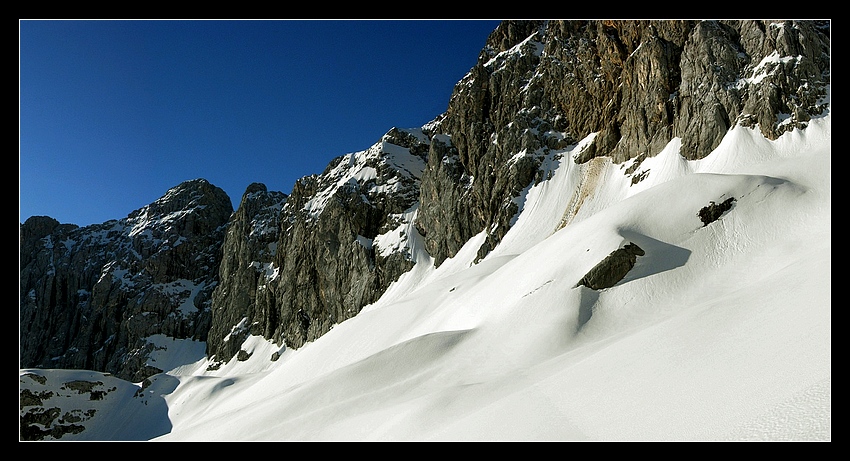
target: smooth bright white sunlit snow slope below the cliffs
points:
(720, 332)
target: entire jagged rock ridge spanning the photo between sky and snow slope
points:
(289, 267)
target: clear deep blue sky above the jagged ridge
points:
(114, 113)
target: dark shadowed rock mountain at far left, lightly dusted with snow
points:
(92, 297)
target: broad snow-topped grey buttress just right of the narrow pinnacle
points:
(330, 256)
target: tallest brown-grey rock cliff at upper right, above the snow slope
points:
(541, 85)
